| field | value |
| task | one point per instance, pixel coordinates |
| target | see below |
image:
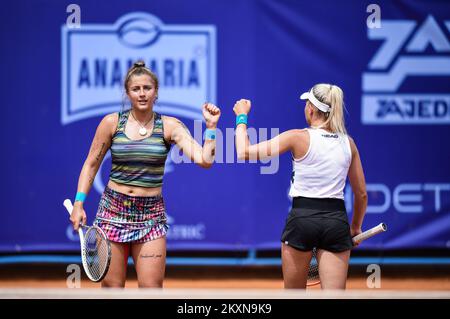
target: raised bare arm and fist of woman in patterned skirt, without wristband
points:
(179, 134)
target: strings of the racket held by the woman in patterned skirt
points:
(97, 253)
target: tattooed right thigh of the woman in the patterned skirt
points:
(150, 261)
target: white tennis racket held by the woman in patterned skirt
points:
(95, 249)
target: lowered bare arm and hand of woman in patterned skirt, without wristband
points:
(100, 145)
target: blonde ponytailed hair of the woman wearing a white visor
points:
(333, 96)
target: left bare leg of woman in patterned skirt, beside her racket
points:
(117, 272)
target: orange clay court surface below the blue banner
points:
(424, 281)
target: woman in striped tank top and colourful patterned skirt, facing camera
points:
(131, 210)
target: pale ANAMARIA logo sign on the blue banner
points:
(96, 57)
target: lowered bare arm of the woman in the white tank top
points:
(358, 183)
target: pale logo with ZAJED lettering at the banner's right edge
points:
(381, 101)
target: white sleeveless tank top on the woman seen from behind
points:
(322, 172)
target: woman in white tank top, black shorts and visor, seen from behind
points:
(323, 156)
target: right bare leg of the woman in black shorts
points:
(333, 268)
